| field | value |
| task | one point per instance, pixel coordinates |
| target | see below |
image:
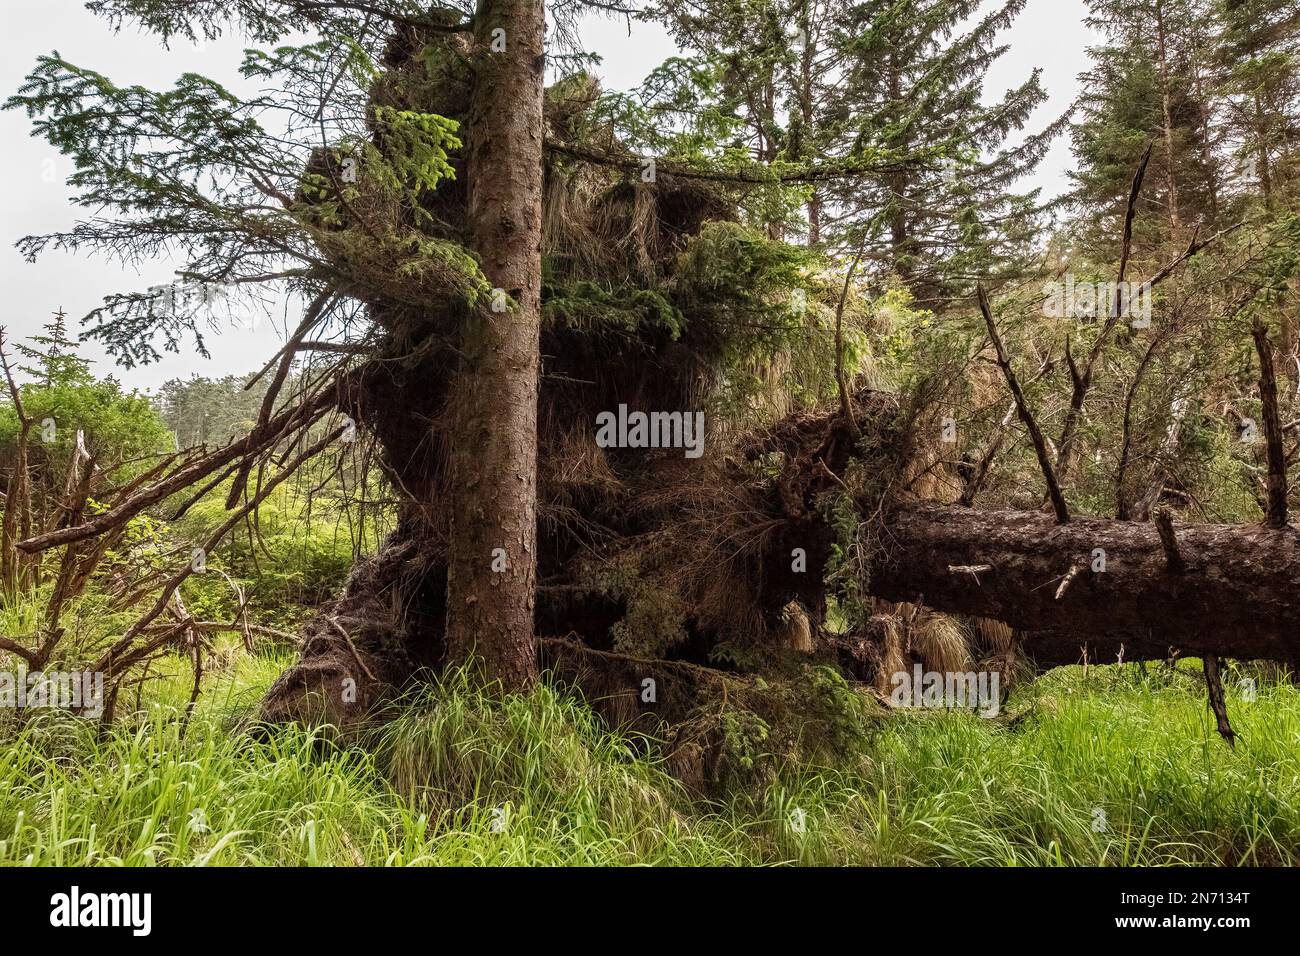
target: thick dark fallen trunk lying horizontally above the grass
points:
(1238, 595)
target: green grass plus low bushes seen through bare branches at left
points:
(1102, 765)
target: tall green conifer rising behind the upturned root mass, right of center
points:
(899, 88)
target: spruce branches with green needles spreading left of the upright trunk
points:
(192, 174)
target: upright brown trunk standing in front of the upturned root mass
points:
(493, 439)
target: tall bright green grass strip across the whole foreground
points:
(1112, 767)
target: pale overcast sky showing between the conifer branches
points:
(1050, 34)
